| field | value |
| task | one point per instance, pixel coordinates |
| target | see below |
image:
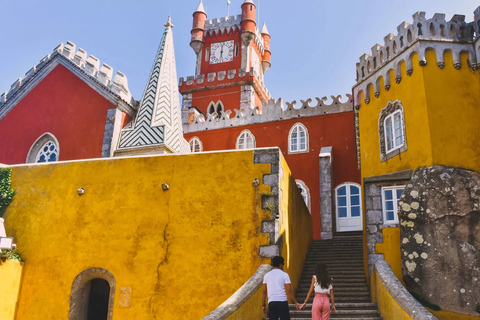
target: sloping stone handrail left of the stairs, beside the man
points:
(240, 296)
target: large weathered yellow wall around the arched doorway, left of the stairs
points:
(181, 252)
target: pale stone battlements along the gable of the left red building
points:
(90, 66)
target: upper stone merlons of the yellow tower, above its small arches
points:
(435, 29)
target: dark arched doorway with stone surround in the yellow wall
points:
(92, 295)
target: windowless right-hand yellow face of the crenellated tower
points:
(453, 99)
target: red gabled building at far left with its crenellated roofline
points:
(65, 108)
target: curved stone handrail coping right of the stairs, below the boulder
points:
(411, 306)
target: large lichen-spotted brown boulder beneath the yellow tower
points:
(439, 214)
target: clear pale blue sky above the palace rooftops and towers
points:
(315, 43)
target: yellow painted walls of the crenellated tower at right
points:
(441, 123)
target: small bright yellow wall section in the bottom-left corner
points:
(10, 282)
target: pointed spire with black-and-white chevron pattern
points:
(157, 127)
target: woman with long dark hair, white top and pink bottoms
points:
(322, 283)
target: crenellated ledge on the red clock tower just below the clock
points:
(222, 76)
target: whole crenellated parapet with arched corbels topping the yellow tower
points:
(436, 34)
